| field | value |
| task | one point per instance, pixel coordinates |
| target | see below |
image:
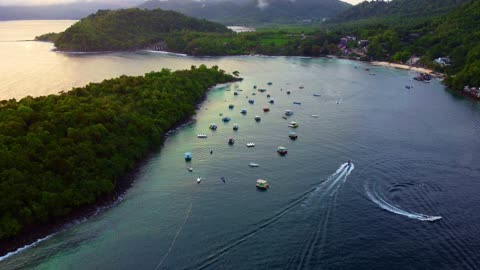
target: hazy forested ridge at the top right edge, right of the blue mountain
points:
(398, 9)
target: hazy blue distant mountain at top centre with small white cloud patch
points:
(253, 12)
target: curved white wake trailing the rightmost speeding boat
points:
(379, 199)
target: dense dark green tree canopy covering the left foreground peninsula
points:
(59, 152)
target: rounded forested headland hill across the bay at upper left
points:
(127, 29)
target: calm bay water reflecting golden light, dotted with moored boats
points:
(415, 157)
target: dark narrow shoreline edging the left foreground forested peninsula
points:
(35, 234)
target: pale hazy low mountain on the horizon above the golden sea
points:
(73, 11)
